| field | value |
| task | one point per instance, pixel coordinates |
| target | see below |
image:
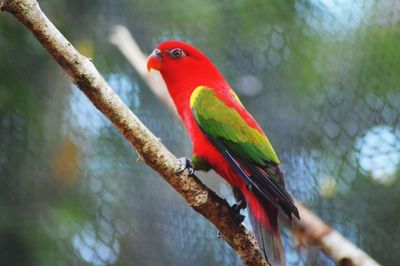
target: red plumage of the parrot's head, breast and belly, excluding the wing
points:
(183, 72)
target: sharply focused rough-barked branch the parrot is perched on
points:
(83, 73)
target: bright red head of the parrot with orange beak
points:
(182, 66)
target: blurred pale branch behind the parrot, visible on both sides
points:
(310, 229)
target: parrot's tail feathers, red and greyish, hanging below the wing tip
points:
(267, 232)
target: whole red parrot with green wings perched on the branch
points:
(227, 139)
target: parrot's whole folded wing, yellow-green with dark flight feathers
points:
(245, 148)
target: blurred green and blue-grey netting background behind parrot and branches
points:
(322, 77)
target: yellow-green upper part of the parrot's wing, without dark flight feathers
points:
(224, 123)
